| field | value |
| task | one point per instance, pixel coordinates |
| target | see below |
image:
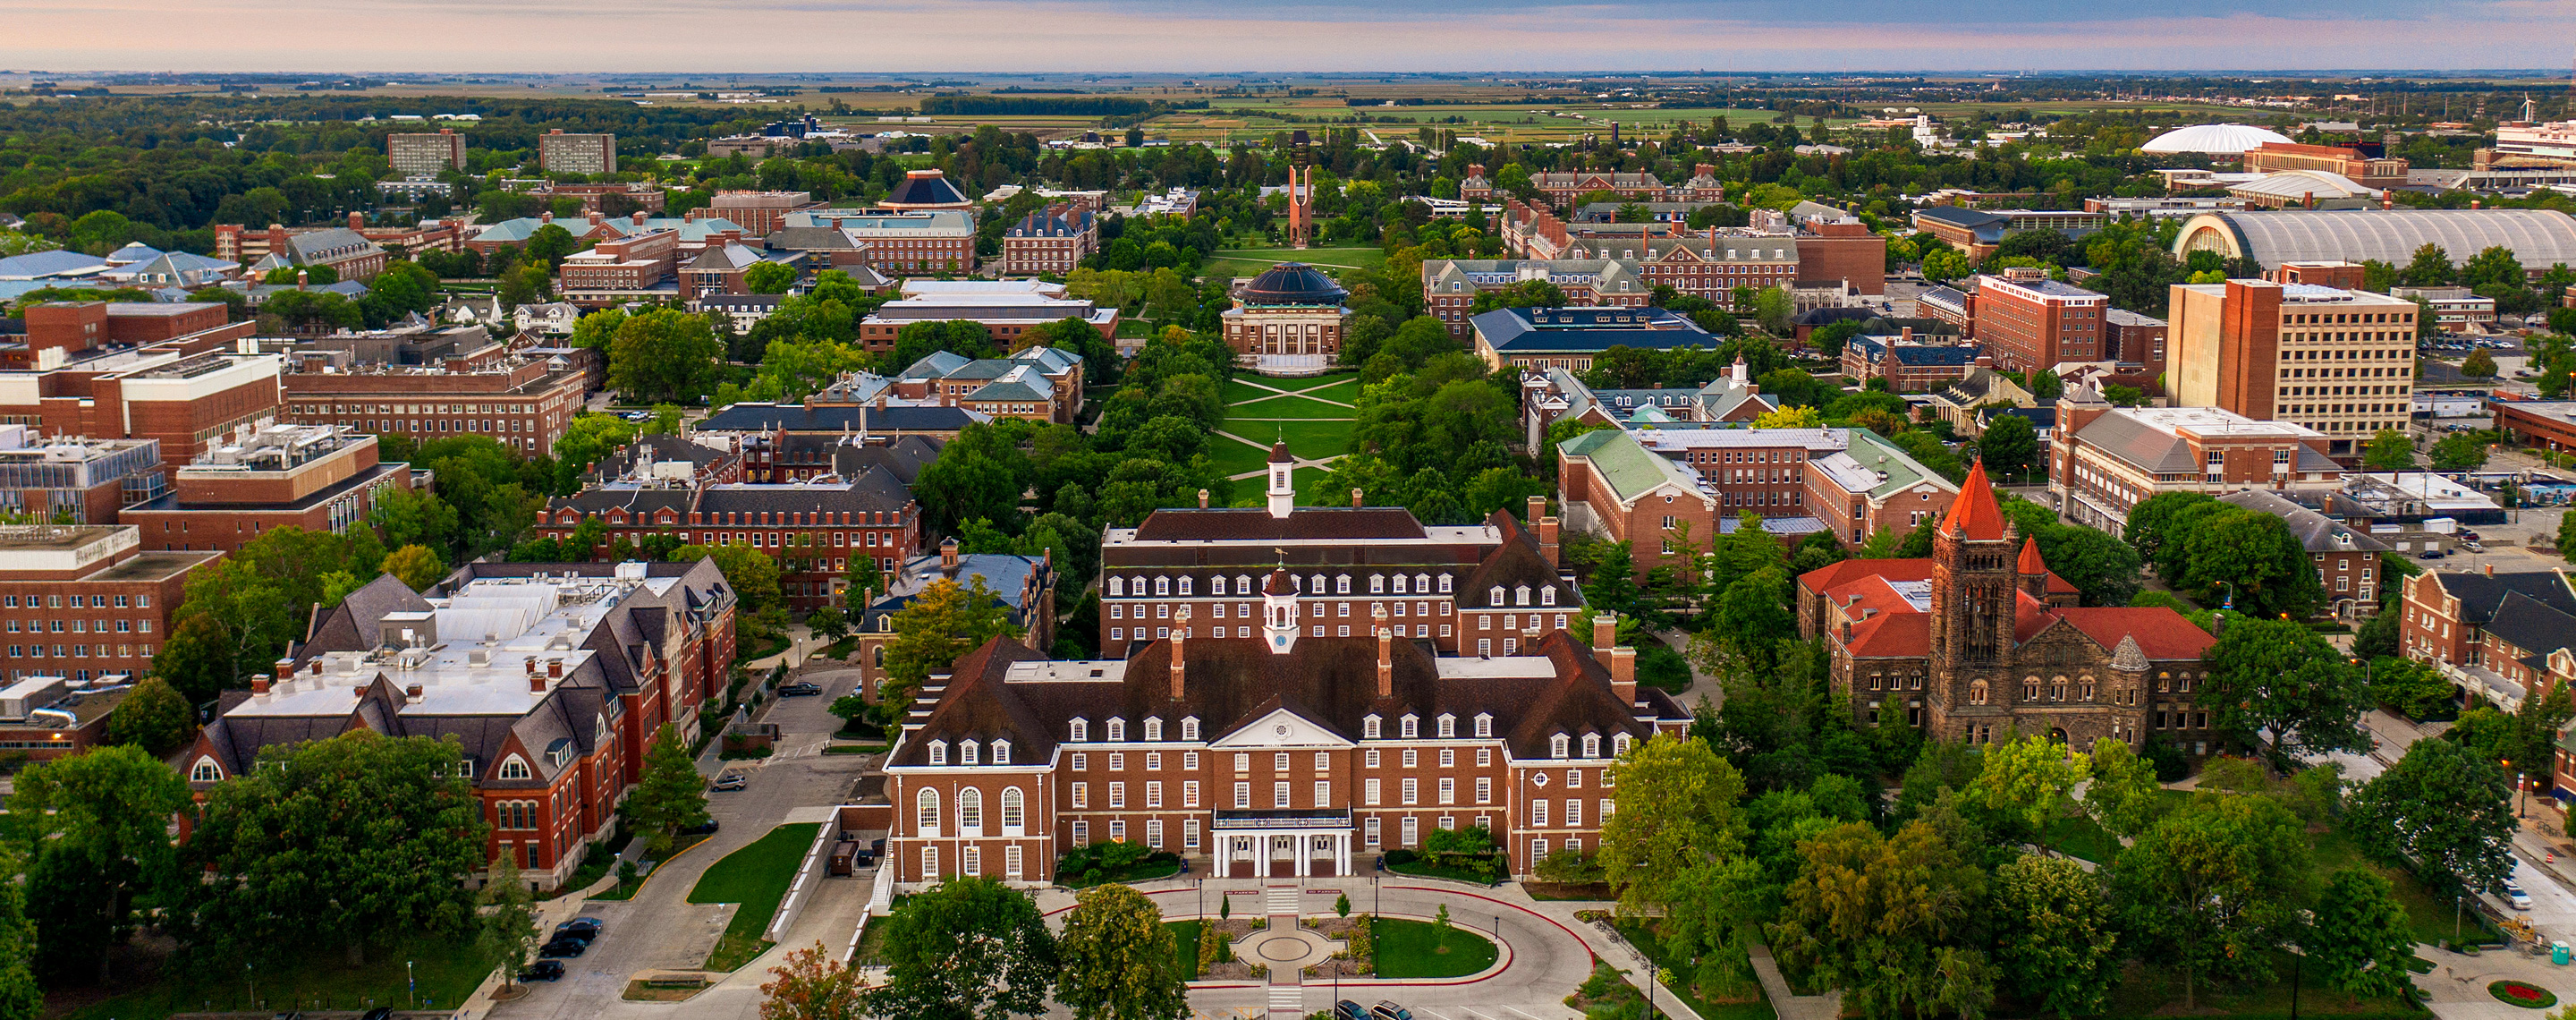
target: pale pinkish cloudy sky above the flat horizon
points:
(1276, 35)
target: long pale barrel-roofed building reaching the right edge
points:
(2392, 236)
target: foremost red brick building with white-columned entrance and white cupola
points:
(1276, 756)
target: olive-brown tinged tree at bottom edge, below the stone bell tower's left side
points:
(1887, 921)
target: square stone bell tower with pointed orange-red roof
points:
(1975, 581)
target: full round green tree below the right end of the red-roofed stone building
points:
(2209, 890)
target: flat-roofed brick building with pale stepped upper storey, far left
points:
(316, 478)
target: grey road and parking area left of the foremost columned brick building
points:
(661, 929)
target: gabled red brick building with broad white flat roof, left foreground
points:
(555, 710)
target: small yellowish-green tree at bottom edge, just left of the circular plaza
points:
(1119, 962)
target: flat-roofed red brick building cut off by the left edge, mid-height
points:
(86, 601)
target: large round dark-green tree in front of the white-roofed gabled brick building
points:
(352, 841)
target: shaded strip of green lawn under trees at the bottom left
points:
(447, 970)
